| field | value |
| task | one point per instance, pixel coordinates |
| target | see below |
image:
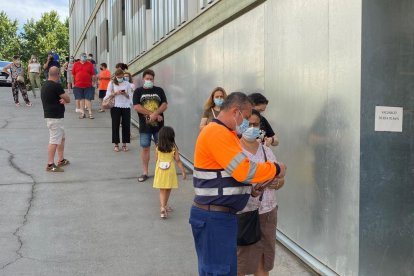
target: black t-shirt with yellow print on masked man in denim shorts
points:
(150, 99)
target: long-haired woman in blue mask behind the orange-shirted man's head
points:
(212, 106)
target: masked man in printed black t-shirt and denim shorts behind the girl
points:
(150, 103)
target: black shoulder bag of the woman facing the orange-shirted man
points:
(249, 231)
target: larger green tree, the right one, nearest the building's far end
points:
(39, 37)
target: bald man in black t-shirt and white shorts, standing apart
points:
(53, 99)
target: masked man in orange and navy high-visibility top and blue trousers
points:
(222, 179)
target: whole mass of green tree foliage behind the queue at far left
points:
(37, 37)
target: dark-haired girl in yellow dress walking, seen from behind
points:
(165, 177)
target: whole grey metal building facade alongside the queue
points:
(347, 207)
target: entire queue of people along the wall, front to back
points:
(231, 157)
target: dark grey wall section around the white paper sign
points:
(387, 158)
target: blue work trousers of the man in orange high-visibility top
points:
(215, 238)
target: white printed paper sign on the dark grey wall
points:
(388, 118)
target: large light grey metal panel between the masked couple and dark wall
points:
(312, 77)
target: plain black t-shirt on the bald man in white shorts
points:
(50, 95)
